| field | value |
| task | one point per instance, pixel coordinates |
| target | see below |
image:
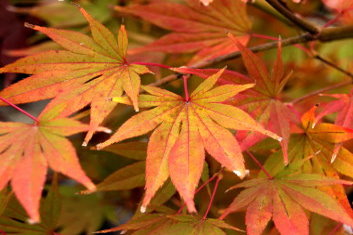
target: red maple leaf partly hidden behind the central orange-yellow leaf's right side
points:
(263, 101)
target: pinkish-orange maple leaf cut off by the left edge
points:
(27, 150)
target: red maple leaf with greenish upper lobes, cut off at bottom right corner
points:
(284, 199)
